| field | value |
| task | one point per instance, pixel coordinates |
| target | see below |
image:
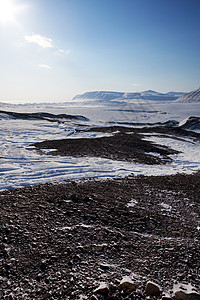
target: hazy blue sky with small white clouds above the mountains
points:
(52, 50)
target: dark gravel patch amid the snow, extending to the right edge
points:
(124, 143)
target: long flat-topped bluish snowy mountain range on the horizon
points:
(146, 95)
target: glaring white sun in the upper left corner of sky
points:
(8, 10)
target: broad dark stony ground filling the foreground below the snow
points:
(97, 239)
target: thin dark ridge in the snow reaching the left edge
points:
(43, 116)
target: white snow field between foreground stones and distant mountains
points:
(20, 166)
